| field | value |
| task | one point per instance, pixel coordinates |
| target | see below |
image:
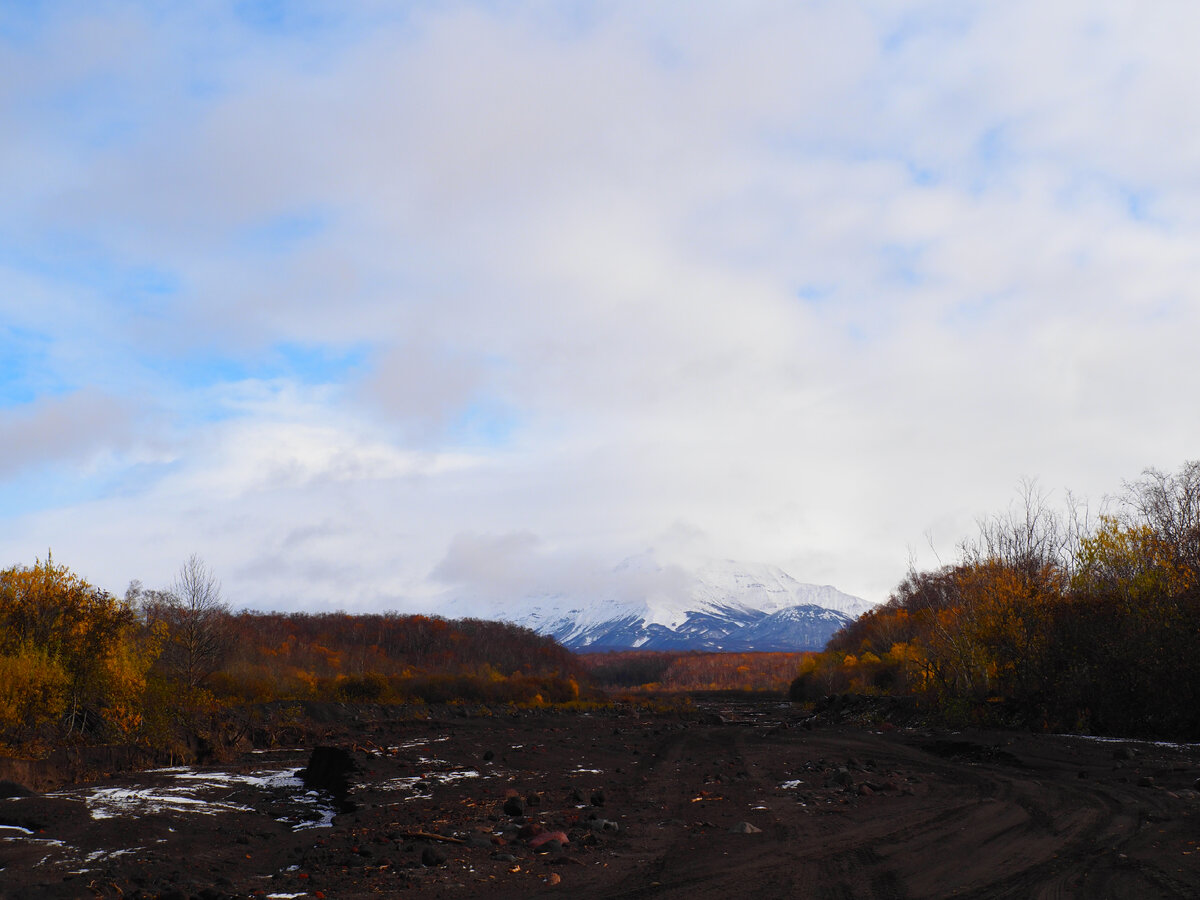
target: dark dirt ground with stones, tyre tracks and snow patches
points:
(745, 800)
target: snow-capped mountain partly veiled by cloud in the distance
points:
(718, 607)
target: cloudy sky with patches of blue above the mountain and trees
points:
(371, 304)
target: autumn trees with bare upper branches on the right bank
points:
(1047, 621)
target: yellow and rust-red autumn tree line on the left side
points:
(155, 667)
